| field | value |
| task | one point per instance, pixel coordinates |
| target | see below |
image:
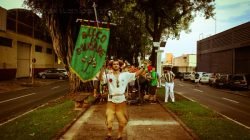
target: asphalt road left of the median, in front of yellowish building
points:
(16, 103)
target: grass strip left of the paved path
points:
(41, 124)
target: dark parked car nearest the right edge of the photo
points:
(238, 81)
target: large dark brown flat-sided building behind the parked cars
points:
(227, 52)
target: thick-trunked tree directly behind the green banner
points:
(60, 18)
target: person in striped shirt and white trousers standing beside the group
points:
(168, 77)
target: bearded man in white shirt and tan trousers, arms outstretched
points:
(117, 82)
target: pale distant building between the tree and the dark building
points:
(185, 63)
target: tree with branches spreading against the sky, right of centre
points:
(170, 17)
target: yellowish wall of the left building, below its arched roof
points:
(11, 58)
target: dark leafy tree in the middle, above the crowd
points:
(130, 36)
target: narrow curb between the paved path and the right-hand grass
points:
(183, 125)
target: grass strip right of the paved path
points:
(205, 123)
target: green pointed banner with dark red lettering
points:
(90, 51)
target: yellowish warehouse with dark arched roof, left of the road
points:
(22, 39)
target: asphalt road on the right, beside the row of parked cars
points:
(233, 104)
